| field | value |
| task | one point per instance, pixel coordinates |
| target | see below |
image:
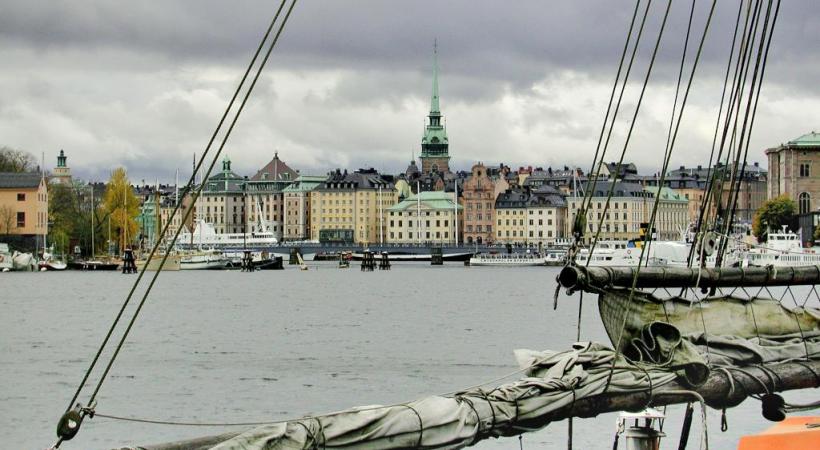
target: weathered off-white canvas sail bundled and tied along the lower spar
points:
(663, 341)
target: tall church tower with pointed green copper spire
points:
(435, 156)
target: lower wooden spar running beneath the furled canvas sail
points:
(718, 391)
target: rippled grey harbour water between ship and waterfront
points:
(232, 346)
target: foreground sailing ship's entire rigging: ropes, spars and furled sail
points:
(677, 348)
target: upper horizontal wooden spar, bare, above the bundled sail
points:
(591, 279)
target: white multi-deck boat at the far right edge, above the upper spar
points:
(782, 249)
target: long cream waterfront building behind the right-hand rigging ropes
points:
(629, 207)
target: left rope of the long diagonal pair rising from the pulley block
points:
(176, 208)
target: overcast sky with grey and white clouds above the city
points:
(142, 84)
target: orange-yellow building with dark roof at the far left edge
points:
(23, 204)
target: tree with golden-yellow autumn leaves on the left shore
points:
(121, 206)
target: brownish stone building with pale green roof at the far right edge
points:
(794, 170)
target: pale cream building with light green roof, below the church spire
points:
(425, 218)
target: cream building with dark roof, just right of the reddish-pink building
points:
(529, 218)
